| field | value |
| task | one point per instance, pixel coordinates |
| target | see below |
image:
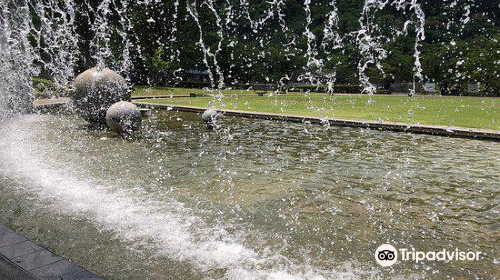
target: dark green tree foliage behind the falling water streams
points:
(461, 44)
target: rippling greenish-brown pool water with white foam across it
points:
(255, 200)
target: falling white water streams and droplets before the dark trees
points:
(50, 45)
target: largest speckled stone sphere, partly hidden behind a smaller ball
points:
(95, 91)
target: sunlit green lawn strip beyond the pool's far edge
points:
(472, 112)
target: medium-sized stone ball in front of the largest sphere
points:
(123, 117)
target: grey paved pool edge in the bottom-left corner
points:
(22, 259)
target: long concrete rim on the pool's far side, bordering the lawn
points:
(483, 134)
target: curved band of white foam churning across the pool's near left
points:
(169, 228)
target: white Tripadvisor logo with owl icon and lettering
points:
(387, 255)
